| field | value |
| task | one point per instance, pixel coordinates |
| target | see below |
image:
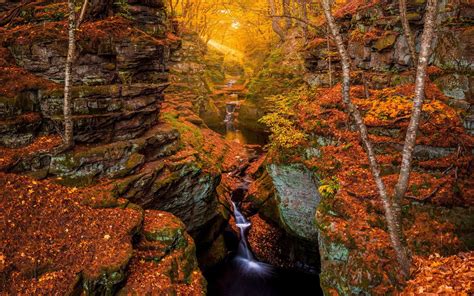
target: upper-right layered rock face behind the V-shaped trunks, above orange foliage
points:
(379, 48)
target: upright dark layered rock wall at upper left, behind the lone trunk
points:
(119, 73)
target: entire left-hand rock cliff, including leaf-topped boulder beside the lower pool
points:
(126, 146)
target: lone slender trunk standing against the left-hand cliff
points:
(68, 123)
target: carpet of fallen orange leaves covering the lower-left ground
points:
(51, 236)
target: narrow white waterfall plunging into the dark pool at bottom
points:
(245, 259)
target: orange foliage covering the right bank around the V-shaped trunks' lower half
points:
(356, 217)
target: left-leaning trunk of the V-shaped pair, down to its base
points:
(390, 216)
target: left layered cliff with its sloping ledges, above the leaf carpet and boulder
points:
(119, 76)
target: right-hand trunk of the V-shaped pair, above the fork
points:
(410, 139)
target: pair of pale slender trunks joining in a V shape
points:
(392, 207)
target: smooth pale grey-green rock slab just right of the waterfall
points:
(297, 198)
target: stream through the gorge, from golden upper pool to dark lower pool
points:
(241, 274)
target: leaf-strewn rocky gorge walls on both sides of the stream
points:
(143, 202)
